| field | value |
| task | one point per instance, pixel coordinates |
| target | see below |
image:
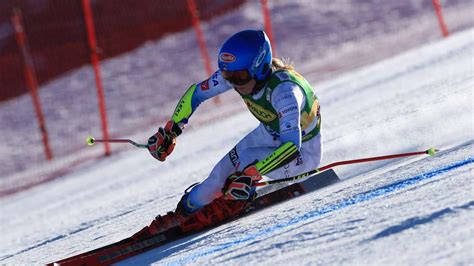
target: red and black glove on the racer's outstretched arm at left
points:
(162, 143)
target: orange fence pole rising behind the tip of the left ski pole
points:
(88, 17)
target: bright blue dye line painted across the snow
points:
(328, 209)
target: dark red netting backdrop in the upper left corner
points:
(58, 39)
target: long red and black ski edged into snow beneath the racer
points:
(167, 228)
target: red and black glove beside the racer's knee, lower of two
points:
(241, 185)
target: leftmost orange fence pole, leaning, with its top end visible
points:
(30, 76)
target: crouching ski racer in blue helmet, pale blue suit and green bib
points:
(287, 140)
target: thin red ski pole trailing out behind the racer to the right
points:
(431, 152)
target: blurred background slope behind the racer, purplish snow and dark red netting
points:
(144, 72)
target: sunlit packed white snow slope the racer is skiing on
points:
(408, 211)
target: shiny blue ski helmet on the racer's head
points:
(247, 50)
